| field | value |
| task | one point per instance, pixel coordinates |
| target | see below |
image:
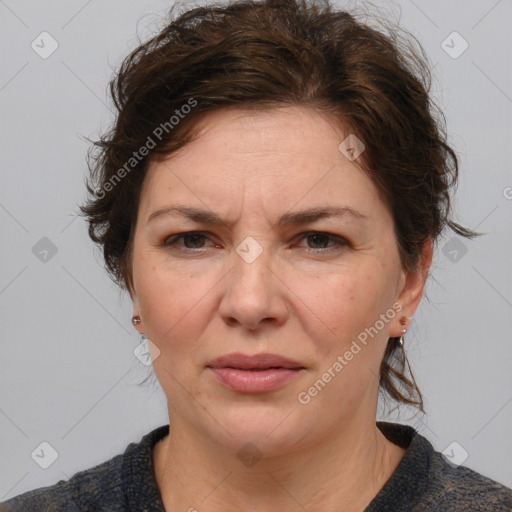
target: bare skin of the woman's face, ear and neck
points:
(304, 298)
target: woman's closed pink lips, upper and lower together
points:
(259, 373)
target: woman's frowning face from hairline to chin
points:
(324, 291)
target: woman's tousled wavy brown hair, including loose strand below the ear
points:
(262, 55)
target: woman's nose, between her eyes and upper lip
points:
(254, 294)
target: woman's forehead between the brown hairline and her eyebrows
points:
(273, 158)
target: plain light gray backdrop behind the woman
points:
(68, 375)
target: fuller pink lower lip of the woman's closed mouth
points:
(254, 381)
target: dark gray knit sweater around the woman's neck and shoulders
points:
(423, 481)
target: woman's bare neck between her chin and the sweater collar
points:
(347, 470)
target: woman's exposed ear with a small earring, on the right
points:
(411, 290)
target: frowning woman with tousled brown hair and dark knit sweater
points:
(269, 197)
